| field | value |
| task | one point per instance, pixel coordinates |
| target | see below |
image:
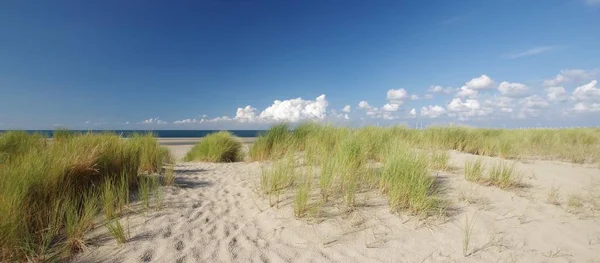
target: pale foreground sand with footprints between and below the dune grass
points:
(215, 215)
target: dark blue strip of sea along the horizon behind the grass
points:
(159, 133)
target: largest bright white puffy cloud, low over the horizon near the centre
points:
(295, 110)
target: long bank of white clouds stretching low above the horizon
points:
(571, 93)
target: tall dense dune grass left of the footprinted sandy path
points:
(50, 193)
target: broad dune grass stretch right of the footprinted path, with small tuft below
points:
(400, 161)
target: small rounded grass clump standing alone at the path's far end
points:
(220, 147)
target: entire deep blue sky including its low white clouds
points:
(199, 64)
